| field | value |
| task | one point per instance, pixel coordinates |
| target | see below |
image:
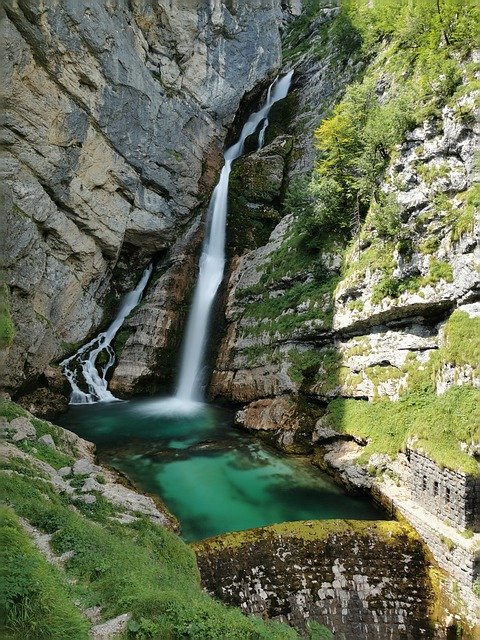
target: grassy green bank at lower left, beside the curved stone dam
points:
(139, 568)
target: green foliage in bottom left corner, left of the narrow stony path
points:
(34, 598)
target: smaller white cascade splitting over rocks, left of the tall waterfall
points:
(84, 361)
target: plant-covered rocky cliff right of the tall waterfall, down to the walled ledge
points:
(352, 334)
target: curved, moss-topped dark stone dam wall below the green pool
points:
(366, 580)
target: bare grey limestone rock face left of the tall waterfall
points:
(115, 119)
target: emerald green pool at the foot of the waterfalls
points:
(214, 478)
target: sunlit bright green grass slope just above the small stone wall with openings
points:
(438, 422)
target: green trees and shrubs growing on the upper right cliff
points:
(418, 48)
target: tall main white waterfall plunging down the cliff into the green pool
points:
(212, 260)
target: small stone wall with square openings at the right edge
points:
(451, 495)
